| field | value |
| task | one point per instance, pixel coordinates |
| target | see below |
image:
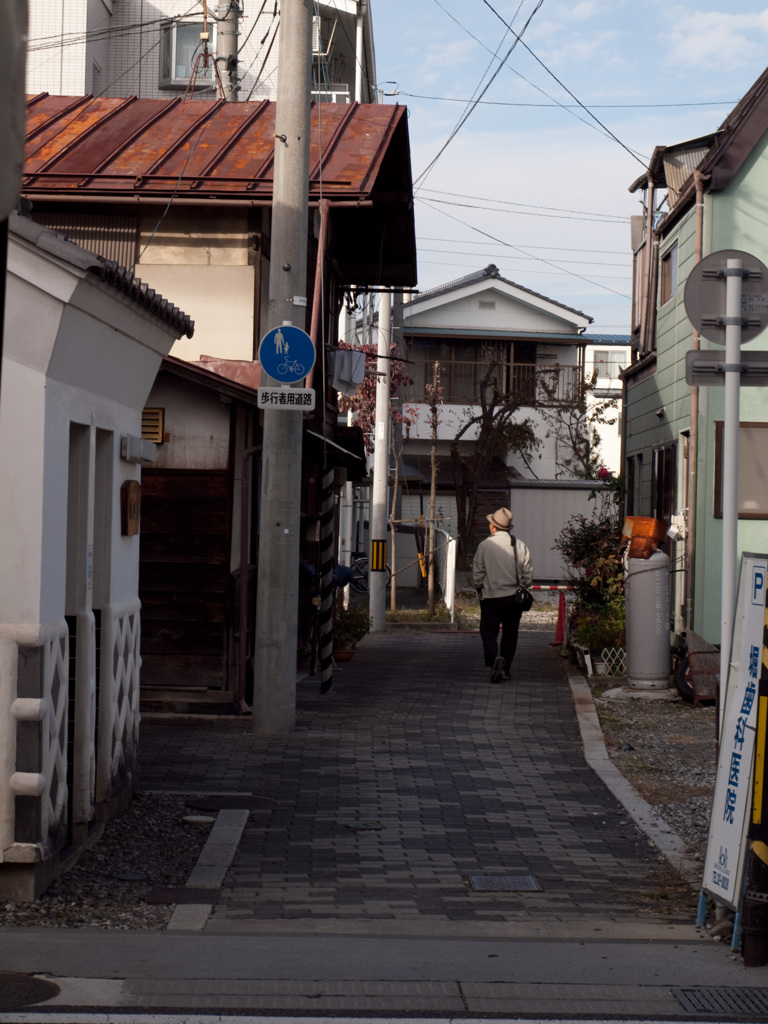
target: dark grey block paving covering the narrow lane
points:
(412, 775)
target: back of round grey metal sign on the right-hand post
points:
(705, 295)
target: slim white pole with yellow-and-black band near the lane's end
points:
(377, 576)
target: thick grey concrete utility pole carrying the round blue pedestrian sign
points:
(277, 613)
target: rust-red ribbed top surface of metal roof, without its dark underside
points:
(133, 147)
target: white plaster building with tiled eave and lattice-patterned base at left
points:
(83, 343)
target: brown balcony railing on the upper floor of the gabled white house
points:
(529, 385)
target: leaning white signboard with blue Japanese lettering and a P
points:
(726, 850)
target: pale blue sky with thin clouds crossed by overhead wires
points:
(532, 181)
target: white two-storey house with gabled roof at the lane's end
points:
(541, 357)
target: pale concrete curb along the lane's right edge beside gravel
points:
(639, 810)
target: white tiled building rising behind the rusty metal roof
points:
(127, 49)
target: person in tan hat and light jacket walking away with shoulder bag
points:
(497, 576)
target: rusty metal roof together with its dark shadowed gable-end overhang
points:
(90, 152)
